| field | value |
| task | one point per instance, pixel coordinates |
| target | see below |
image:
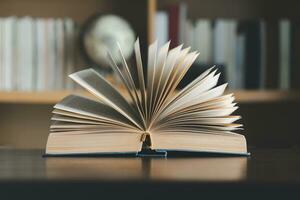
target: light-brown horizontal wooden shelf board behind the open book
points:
(52, 97)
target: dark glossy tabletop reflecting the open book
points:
(267, 173)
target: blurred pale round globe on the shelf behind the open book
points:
(102, 32)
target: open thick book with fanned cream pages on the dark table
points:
(151, 114)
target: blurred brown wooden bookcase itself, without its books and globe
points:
(26, 119)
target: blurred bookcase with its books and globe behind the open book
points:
(255, 44)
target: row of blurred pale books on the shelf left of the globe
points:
(36, 53)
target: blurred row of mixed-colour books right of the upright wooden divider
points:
(238, 47)
